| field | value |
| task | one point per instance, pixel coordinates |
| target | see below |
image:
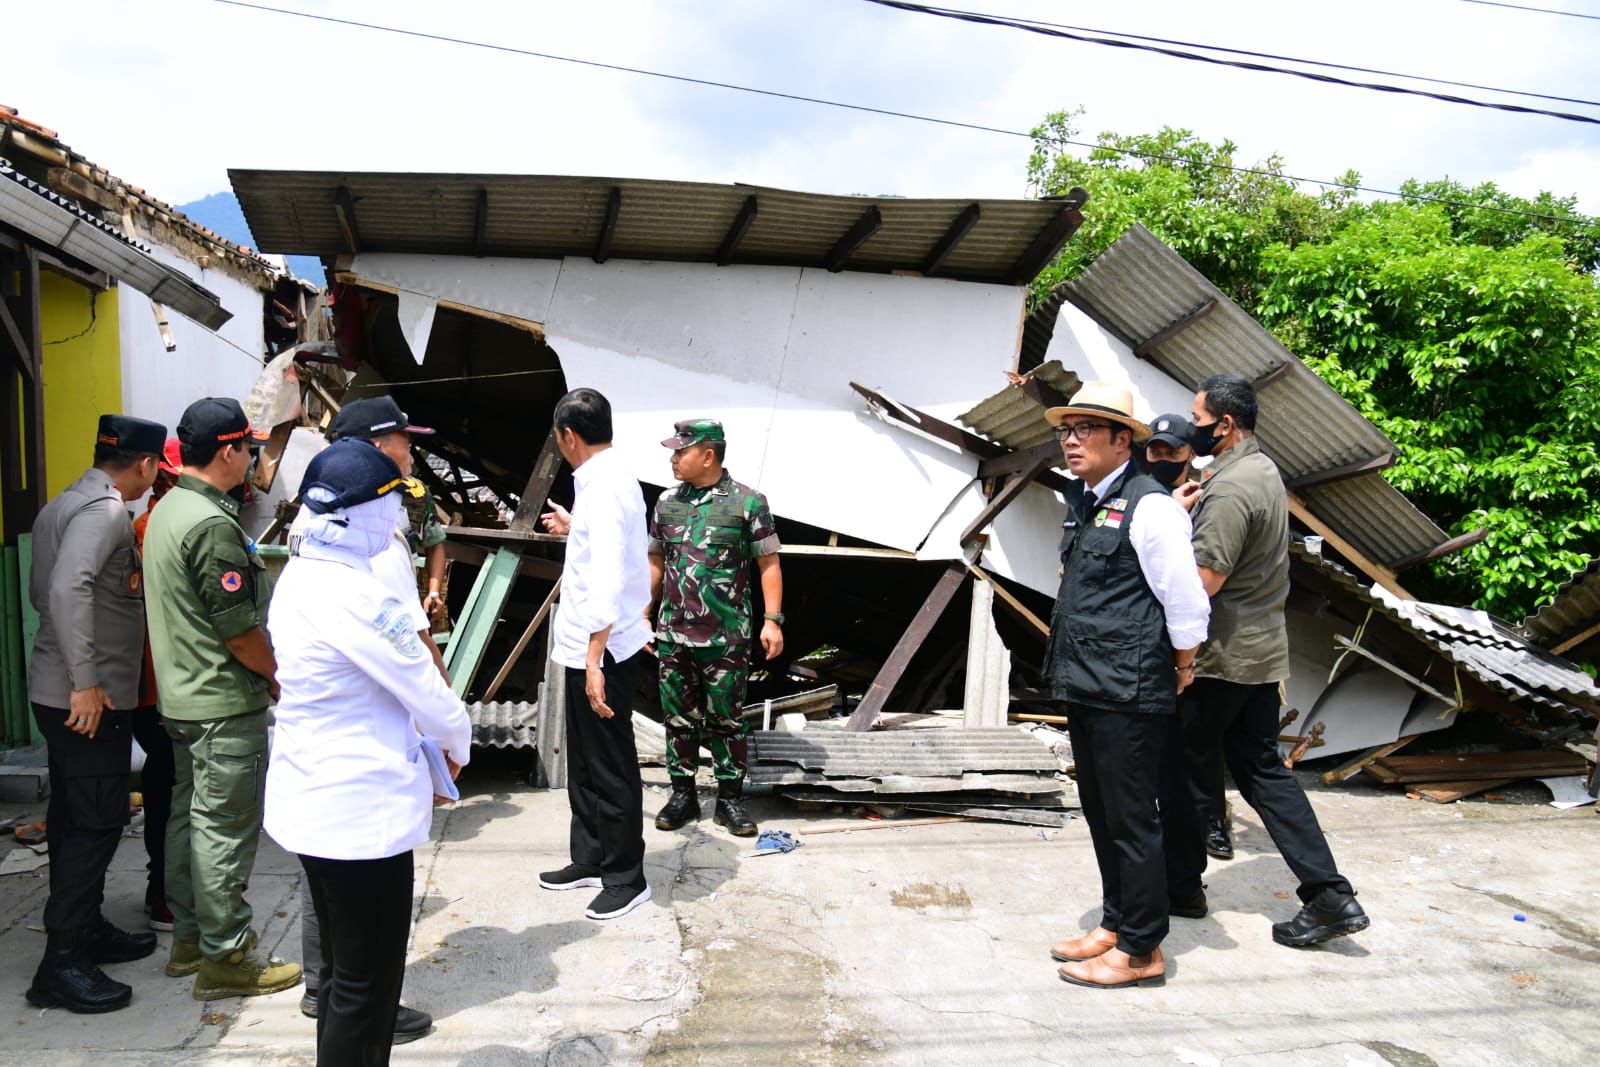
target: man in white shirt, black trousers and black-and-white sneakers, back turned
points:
(601, 629)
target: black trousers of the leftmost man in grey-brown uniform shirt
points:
(87, 812)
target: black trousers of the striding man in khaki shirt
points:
(1241, 722)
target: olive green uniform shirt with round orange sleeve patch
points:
(204, 586)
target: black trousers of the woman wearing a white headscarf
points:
(364, 911)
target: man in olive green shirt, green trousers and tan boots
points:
(207, 601)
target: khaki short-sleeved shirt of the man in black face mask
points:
(1242, 530)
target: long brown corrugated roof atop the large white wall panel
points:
(553, 217)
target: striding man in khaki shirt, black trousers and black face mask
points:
(1242, 545)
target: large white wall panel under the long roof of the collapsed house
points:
(772, 353)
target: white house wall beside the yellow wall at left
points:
(159, 385)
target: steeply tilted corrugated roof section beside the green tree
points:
(1140, 287)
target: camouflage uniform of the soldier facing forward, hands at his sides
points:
(708, 540)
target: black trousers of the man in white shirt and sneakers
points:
(602, 778)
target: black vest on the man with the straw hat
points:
(1108, 634)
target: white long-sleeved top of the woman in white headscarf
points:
(348, 778)
